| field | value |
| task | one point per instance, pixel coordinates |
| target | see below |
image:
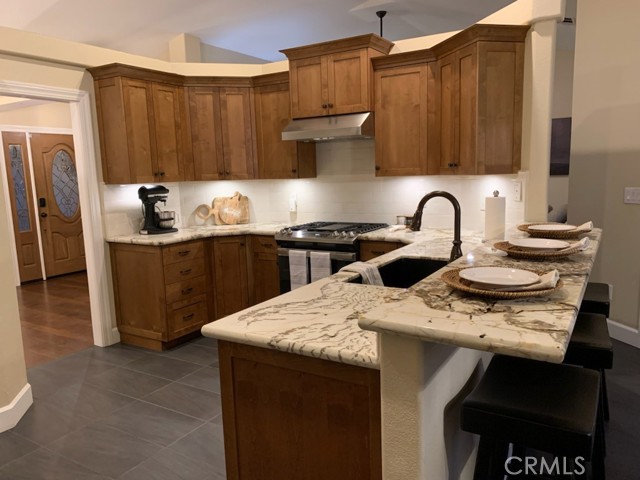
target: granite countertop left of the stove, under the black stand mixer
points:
(193, 233)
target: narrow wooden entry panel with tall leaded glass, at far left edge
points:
(24, 223)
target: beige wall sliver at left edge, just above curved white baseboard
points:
(13, 375)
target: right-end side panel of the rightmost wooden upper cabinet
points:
(500, 72)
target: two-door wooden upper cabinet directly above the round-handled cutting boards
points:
(222, 132)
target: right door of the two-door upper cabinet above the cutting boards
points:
(237, 133)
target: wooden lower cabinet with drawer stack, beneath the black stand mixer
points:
(160, 292)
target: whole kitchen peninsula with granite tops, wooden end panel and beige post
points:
(430, 349)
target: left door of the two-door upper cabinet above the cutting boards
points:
(206, 135)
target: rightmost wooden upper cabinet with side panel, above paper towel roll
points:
(479, 82)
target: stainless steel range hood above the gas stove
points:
(323, 129)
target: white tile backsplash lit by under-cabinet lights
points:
(346, 188)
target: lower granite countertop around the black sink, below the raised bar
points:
(321, 319)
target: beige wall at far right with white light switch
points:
(605, 148)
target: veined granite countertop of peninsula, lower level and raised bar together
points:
(339, 321)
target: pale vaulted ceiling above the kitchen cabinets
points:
(258, 28)
